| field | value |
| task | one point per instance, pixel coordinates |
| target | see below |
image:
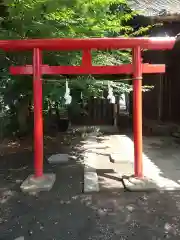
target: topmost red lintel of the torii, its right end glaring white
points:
(153, 43)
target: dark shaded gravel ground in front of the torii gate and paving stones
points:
(65, 213)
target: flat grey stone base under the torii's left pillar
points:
(38, 184)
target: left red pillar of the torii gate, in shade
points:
(38, 121)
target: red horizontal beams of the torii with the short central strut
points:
(86, 45)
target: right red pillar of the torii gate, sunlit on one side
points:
(137, 112)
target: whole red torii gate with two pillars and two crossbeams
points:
(37, 69)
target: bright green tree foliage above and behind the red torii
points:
(24, 19)
